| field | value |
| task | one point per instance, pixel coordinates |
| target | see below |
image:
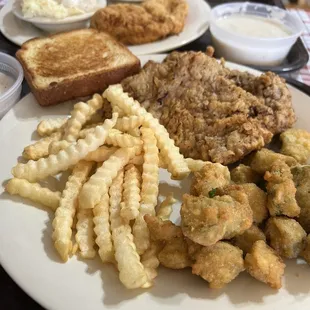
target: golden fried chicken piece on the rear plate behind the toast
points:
(139, 24)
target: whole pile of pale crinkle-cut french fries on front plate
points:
(114, 180)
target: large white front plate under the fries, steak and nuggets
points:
(27, 253)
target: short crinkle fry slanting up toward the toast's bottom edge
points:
(81, 113)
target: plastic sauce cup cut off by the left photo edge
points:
(11, 68)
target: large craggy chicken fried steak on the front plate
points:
(211, 112)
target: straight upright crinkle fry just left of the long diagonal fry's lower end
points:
(150, 174)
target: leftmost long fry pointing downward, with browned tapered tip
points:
(63, 221)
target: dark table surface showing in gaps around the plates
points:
(12, 297)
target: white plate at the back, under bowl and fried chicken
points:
(196, 25)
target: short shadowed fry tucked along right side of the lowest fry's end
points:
(150, 262)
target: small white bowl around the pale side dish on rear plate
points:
(53, 25)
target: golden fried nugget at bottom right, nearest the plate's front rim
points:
(263, 263)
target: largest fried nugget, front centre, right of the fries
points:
(207, 220)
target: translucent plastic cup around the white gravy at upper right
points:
(250, 50)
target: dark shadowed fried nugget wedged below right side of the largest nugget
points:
(248, 238)
